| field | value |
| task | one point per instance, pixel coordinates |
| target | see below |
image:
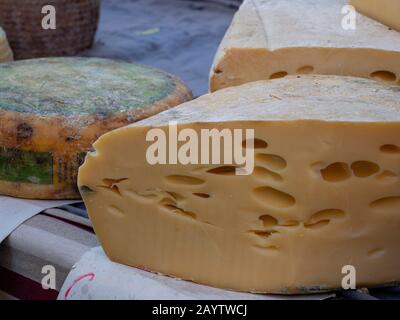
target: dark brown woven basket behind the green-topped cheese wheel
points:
(76, 25)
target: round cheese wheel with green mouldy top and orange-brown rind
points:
(52, 110)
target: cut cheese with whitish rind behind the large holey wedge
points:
(272, 38)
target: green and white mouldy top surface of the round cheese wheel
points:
(80, 86)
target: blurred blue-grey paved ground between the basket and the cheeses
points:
(179, 36)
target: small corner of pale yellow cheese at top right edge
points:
(385, 11)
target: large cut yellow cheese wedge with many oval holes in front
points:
(325, 191)
